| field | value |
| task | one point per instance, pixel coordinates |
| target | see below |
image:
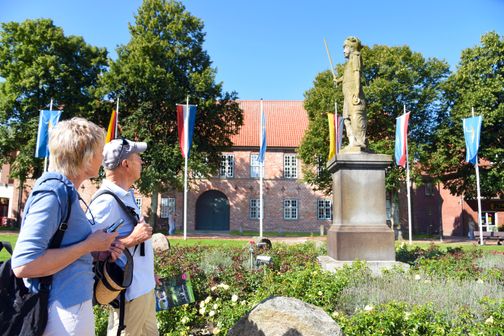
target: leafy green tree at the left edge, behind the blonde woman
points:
(37, 63)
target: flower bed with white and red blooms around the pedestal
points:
(444, 293)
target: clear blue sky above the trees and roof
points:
(273, 49)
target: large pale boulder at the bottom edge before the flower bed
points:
(284, 316)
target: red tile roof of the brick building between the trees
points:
(286, 122)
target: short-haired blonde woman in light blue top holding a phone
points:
(75, 148)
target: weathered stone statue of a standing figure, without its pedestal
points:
(354, 105)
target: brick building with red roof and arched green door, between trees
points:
(230, 201)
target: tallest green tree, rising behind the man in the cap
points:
(163, 63)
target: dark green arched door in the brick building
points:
(212, 211)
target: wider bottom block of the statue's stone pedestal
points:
(368, 243)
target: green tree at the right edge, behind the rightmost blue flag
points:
(479, 83)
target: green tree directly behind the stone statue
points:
(392, 76)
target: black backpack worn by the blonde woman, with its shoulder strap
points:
(22, 312)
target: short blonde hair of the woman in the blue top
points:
(72, 145)
